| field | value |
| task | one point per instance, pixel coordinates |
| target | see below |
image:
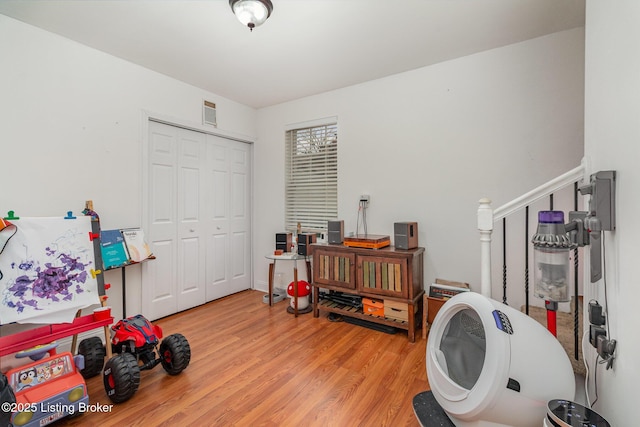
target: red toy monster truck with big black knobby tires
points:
(136, 340)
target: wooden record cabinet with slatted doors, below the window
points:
(389, 274)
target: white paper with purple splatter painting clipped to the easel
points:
(47, 270)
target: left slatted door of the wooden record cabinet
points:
(335, 269)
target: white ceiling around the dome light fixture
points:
(306, 46)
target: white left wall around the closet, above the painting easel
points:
(72, 124)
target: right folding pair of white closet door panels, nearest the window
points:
(228, 217)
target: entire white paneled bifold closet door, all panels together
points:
(198, 219)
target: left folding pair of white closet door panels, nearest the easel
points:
(175, 280)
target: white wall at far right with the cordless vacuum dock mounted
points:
(612, 142)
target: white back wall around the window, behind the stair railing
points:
(429, 143)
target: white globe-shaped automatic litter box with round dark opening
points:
(491, 365)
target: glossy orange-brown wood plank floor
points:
(255, 365)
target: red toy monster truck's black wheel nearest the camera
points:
(121, 377)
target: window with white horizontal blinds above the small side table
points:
(311, 177)
